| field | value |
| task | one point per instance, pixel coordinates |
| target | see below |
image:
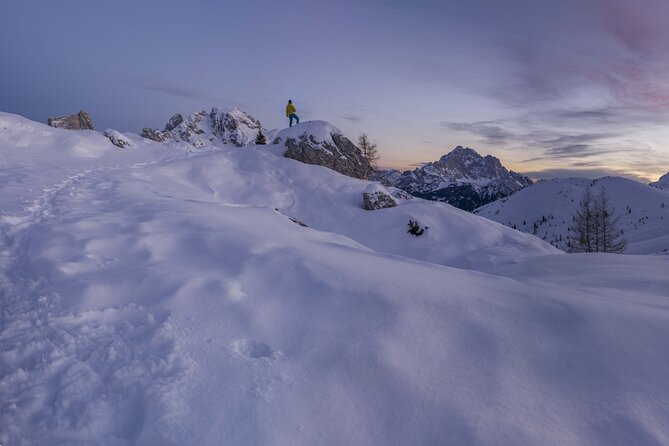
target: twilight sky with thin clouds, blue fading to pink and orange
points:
(551, 87)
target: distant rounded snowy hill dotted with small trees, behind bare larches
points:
(546, 209)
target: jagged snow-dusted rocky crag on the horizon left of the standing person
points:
(202, 128)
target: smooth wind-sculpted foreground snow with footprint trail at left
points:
(156, 296)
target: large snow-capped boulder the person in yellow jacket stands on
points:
(319, 142)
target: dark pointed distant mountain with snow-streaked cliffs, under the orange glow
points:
(462, 178)
